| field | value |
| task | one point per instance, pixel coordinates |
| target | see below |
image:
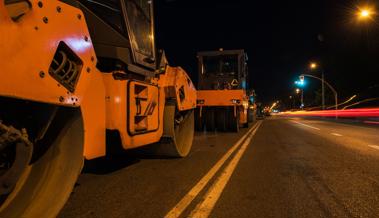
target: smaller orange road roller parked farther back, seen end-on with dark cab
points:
(223, 102)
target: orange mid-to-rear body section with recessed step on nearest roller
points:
(137, 113)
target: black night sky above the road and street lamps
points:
(280, 37)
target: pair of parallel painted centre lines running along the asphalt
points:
(205, 207)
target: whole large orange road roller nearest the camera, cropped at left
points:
(81, 78)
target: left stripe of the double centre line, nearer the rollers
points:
(188, 198)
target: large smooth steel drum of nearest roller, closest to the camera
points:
(45, 185)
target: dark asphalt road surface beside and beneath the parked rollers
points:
(280, 167)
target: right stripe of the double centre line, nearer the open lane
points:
(204, 208)
